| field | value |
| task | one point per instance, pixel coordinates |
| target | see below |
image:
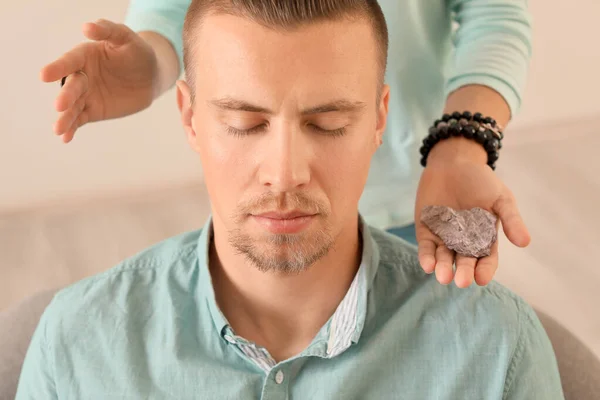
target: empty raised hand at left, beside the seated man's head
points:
(120, 77)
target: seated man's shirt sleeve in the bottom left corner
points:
(37, 374)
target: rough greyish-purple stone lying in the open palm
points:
(468, 232)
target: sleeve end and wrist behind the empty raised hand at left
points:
(160, 23)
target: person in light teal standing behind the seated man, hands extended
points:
(480, 67)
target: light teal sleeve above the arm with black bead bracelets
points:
(492, 47)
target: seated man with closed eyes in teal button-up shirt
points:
(285, 292)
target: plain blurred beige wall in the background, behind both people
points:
(149, 149)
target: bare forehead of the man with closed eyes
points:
(231, 51)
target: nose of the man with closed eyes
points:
(286, 156)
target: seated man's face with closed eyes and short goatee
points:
(285, 124)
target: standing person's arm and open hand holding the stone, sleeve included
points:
(491, 55)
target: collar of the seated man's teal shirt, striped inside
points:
(347, 322)
